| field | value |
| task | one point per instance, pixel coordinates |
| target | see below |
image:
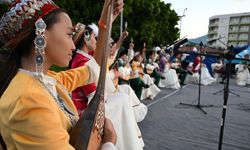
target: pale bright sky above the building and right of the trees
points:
(195, 22)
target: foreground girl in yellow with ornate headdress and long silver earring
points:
(35, 106)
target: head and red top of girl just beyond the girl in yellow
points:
(83, 53)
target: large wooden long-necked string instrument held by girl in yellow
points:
(87, 133)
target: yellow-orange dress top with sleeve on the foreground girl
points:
(30, 117)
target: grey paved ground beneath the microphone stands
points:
(171, 126)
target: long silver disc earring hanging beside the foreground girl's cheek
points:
(40, 45)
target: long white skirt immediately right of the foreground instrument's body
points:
(119, 111)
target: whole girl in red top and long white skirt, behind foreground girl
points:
(117, 106)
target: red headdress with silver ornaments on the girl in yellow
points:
(20, 14)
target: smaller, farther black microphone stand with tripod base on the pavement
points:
(198, 105)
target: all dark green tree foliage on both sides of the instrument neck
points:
(150, 21)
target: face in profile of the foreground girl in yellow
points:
(59, 42)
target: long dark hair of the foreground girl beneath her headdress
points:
(21, 46)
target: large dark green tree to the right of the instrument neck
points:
(151, 21)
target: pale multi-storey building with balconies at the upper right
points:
(230, 29)
